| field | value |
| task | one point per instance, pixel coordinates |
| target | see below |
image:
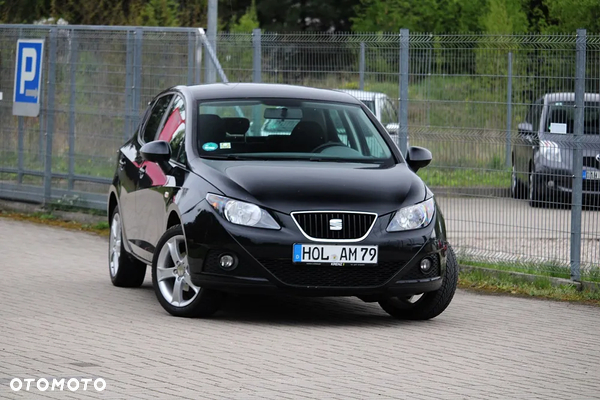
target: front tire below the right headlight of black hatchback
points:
(427, 305)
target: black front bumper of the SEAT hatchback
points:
(265, 259)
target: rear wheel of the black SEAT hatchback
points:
(124, 269)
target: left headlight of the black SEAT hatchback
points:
(241, 213)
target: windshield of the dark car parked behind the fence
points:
(561, 118)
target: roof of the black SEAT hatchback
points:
(216, 91)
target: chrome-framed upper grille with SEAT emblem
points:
(316, 225)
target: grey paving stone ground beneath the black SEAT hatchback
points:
(60, 317)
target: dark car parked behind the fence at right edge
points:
(543, 151)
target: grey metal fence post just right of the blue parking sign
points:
(50, 115)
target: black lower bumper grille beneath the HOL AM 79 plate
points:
(331, 276)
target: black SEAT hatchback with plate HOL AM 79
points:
(325, 206)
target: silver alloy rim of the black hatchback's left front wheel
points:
(173, 273)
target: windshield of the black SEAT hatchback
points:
(288, 129)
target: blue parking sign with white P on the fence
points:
(28, 77)
